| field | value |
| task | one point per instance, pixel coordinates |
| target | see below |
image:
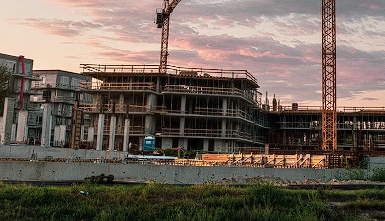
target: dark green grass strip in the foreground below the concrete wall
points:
(200, 202)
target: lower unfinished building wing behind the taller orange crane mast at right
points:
(358, 129)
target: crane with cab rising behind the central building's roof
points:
(163, 21)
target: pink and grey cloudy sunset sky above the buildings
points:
(277, 41)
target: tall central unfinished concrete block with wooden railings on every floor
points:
(190, 108)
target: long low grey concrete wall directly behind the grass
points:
(169, 174)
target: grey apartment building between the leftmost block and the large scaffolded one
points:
(51, 107)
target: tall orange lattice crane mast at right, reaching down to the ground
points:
(329, 91)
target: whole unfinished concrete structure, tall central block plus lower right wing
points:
(210, 110)
